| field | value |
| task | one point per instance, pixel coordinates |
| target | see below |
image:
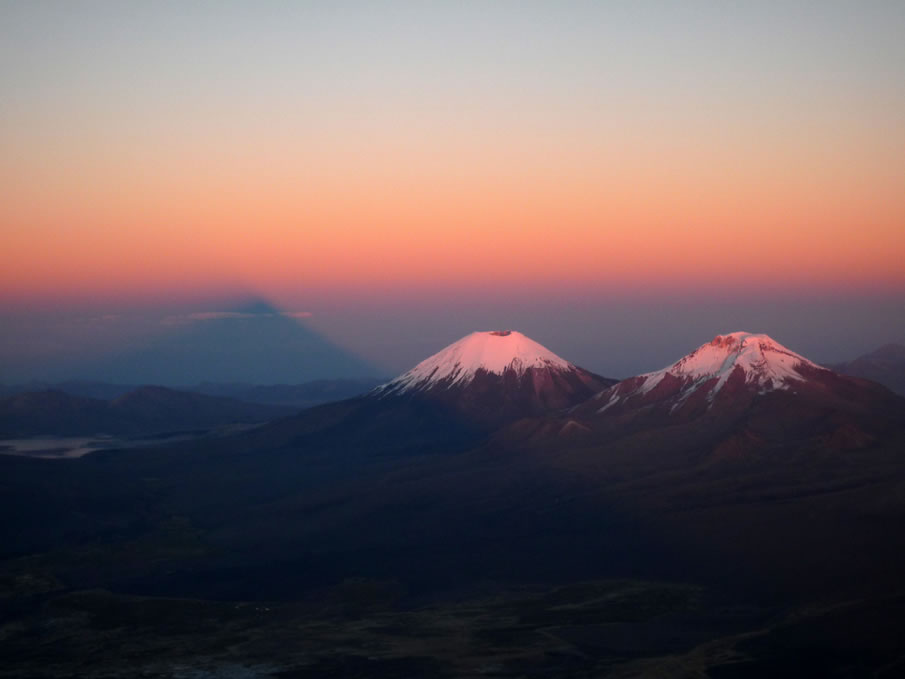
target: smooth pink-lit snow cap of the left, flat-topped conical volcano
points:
(495, 351)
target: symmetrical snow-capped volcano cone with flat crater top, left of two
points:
(497, 374)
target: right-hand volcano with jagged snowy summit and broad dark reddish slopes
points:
(738, 394)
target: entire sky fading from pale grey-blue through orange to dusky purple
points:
(567, 164)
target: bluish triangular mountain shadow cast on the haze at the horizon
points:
(253, 343)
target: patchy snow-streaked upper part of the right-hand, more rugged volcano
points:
(737, 361)
